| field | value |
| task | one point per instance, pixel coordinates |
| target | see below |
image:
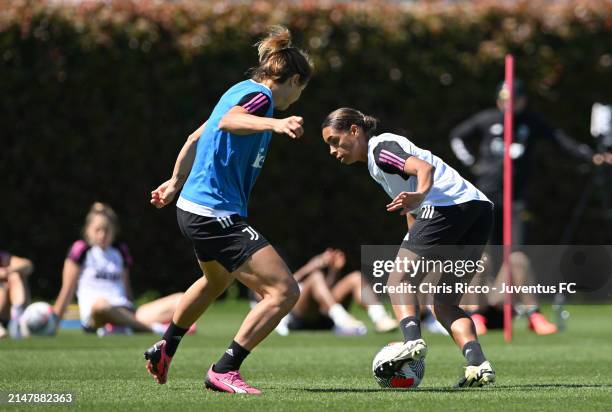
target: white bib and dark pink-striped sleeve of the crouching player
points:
(387, 154)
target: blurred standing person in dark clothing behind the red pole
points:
(486, 129)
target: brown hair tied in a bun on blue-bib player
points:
(278, 60)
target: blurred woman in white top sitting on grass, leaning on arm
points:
(97, 269)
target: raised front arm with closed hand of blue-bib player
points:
(238, 120)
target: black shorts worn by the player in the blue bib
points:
(228, 240)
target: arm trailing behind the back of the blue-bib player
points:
(165, 193)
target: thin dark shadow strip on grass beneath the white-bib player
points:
(525, 387)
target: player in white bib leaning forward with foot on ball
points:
(451, 212)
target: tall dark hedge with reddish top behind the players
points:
(97, 98)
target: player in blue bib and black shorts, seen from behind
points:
(217, 168)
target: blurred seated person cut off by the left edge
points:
(14, 292)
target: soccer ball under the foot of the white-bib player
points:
(407, 377)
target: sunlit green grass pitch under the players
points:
(570, 371)
